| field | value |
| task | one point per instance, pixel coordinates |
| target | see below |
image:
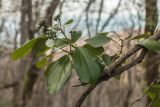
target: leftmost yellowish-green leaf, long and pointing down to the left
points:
(24, 49)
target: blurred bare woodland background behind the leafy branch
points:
(23, 85)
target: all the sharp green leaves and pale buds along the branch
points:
(88, 61)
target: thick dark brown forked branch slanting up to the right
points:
(114, 68)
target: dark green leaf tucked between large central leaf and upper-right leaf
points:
(95, 51)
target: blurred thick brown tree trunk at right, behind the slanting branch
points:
(151, 23)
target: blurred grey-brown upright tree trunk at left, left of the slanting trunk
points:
(25, 21)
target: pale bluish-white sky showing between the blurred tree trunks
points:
(74, 10)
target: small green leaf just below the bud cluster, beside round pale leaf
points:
(61, 42)
